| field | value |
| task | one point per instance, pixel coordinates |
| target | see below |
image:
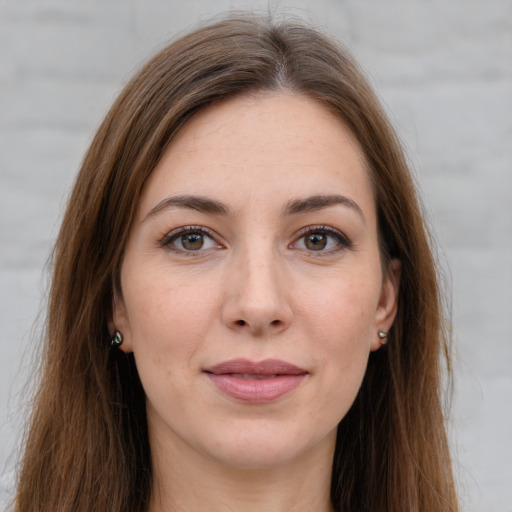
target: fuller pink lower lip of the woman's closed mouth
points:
(256, 391)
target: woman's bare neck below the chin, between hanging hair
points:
(197, 483)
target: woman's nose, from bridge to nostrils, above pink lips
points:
(256, 299)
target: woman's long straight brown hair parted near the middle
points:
(87, 447)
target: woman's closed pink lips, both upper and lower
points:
(256, 382)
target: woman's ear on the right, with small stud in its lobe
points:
(388, 302)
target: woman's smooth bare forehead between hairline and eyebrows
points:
(261, 146)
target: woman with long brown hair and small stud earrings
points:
(244, 313)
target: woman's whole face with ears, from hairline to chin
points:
(252, 289)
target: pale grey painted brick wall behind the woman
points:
(443, 68)
